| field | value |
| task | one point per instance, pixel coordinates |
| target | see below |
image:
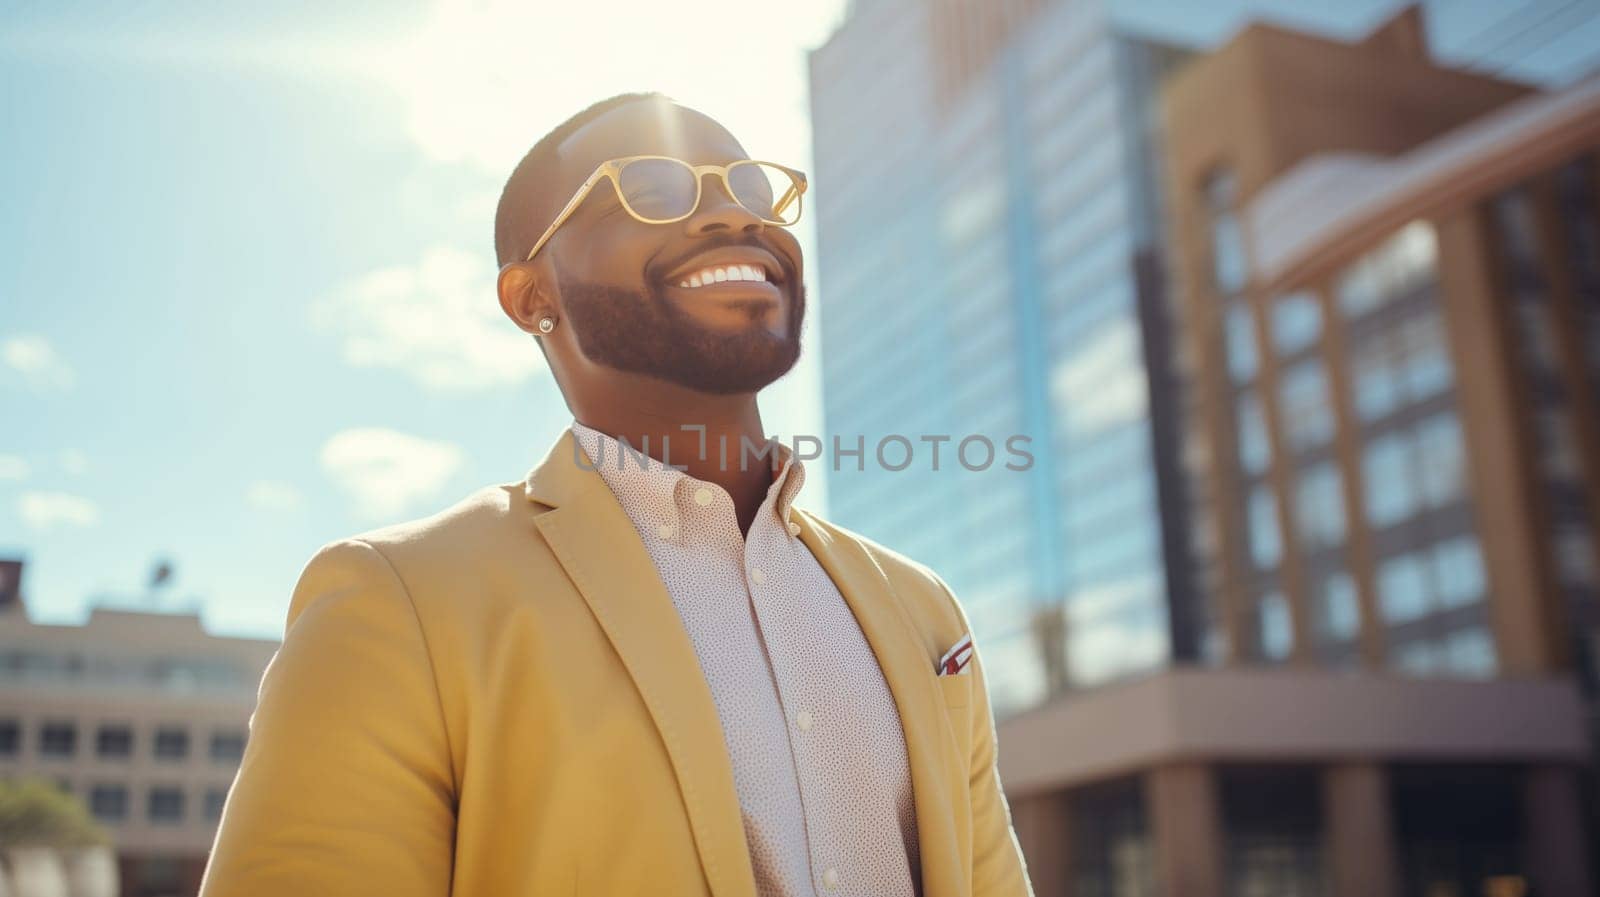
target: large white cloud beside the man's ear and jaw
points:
(436, 321)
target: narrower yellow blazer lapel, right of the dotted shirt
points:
(892, 634)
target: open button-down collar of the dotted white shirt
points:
(655, 495)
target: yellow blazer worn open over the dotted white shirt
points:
(502, 701)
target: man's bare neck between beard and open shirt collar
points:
(697, 433)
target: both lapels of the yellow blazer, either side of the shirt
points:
(601, 552)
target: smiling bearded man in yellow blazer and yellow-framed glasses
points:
(628, 674)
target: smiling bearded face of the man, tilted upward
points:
(622, 281)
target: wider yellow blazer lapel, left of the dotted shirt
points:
(606, 560)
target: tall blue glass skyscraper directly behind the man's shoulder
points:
(988, 220)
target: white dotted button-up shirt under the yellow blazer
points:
(812, 730)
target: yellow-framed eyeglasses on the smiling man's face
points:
(660, 189)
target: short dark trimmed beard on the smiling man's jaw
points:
(642, 333)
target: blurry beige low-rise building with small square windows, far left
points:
(143, 716)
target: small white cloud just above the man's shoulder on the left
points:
(385, 471)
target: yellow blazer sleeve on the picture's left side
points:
(346, 786)
